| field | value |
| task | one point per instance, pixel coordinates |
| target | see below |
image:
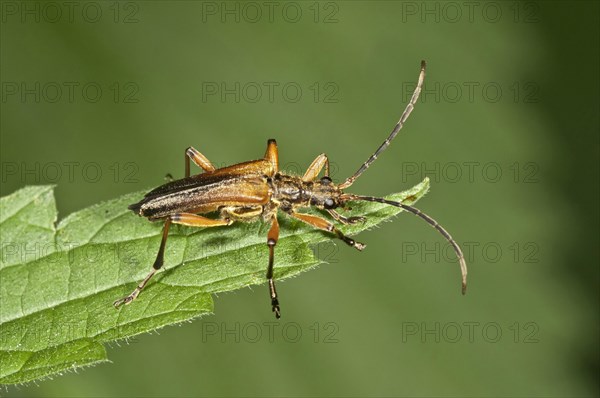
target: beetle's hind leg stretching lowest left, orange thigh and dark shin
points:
(178, 218)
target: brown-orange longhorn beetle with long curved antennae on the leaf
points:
(255, 190)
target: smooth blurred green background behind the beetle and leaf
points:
(507, 130)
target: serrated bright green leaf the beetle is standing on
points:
(58, 282)
